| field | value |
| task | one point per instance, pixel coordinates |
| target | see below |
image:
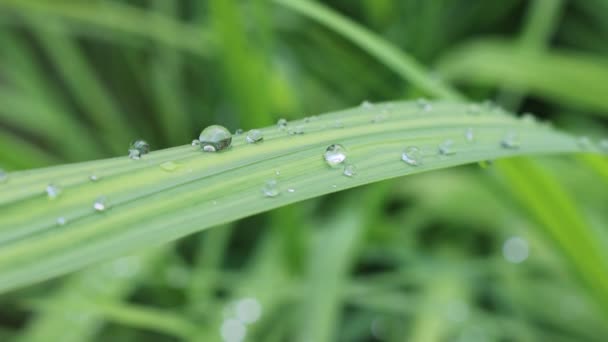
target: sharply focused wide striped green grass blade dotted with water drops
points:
(149, 205)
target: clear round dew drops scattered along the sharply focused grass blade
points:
(216, 138)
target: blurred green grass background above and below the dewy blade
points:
(455, 255)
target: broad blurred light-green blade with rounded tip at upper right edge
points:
(569, 78)
